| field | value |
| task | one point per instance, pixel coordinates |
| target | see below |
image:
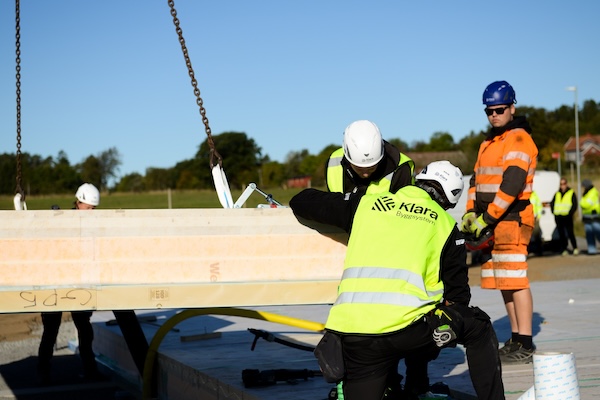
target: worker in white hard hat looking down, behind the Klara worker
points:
(366, 160)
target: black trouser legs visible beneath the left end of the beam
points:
(85, 334)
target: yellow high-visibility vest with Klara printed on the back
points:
(392, 268)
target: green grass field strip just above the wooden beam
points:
(151, 200)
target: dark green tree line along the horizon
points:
(244, 163)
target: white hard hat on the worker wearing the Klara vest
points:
(448, 176)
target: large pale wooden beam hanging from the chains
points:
(147, 259)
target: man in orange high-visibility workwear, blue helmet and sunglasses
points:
(498, 199)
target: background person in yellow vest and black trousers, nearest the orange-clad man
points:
(564, 206)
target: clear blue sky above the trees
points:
(290, 74)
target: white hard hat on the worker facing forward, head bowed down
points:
(363, 145)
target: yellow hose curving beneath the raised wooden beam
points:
(237, 312)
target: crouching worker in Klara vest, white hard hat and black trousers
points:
(388, 305)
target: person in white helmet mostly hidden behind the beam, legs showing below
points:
(87, 197)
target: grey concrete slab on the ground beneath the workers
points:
(564, 321)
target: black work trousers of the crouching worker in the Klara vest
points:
(370, 360)
